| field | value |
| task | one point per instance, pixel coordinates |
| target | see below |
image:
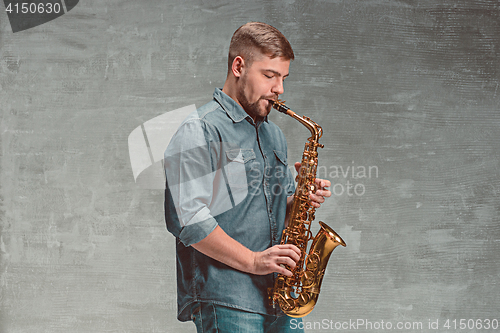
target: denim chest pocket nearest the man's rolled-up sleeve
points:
(236, 168)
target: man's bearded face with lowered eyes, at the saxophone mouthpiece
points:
(260, 82)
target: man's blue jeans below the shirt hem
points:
(214, 318)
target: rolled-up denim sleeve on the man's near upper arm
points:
(190, 174)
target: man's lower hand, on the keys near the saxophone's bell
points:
(270, 260)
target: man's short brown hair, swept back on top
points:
(256, 37)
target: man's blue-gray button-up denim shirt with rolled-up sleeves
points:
(223, 169)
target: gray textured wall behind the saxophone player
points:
(409, 88)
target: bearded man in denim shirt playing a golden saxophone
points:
(228, 189)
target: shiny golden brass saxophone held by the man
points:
(297, 295)
